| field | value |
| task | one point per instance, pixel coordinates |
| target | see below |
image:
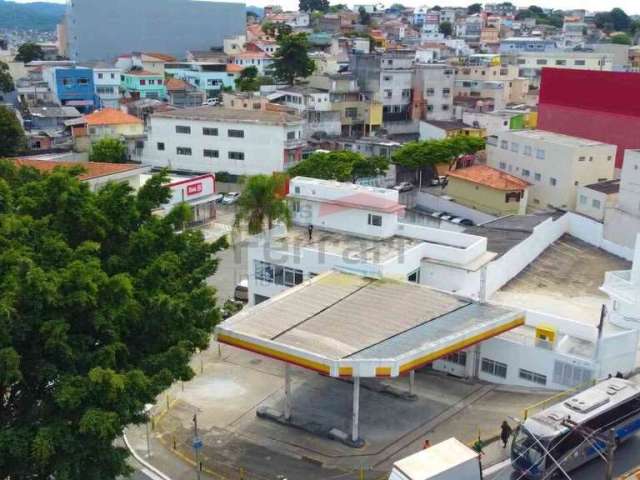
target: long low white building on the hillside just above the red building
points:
(530, 64)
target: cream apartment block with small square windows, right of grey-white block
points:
(433, 92)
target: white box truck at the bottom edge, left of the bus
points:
(448, 460)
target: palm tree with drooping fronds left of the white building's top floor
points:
(262, 201)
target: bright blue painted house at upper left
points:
(72, 87)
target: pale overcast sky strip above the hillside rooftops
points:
(630, 6)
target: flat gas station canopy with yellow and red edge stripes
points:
(346, 325)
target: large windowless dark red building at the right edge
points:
(602, 106)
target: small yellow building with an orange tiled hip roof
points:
(488, 190)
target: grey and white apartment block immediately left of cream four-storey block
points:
(387, 78)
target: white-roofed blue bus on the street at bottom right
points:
(572, 432)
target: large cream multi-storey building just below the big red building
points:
(555, 165)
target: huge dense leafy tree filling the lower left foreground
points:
(102, 305)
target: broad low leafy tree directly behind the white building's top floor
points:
(343, 166)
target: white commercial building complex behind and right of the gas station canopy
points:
(357, 230)
